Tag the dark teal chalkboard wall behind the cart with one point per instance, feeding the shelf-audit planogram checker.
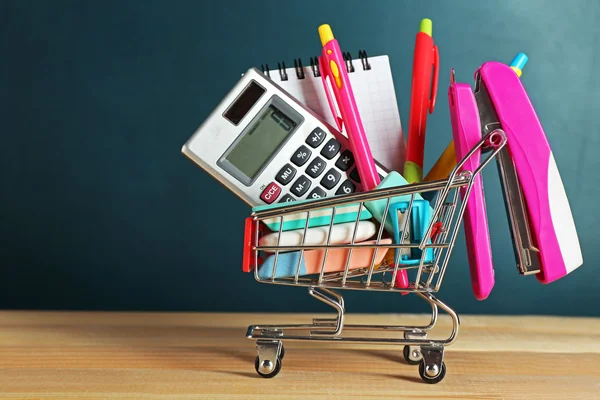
(99, 209)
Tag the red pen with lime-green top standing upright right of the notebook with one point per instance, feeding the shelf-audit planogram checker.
(422, 98)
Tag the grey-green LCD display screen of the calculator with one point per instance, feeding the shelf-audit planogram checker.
(255, 148)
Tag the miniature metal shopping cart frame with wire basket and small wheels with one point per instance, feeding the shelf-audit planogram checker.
(418, 348)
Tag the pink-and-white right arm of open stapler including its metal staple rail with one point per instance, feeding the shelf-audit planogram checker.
(542, 226)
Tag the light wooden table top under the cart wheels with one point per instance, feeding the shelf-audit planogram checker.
(105, 355)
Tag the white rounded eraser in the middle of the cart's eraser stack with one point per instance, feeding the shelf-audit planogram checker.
(340, 234)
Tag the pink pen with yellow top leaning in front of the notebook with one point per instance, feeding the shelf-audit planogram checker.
(335, 76)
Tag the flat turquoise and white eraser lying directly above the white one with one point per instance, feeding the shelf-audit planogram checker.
(320, 217)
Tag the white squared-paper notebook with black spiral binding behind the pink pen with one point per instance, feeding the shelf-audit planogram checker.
(373, 86)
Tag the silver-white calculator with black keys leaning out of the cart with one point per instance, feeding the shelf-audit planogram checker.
(267, 147)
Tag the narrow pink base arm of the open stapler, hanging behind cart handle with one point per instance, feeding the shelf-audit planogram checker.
(466, 130)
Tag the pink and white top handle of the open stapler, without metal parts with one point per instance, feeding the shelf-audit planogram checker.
(552, 225)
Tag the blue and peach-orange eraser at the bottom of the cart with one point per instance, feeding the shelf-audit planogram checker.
(312, 260)
